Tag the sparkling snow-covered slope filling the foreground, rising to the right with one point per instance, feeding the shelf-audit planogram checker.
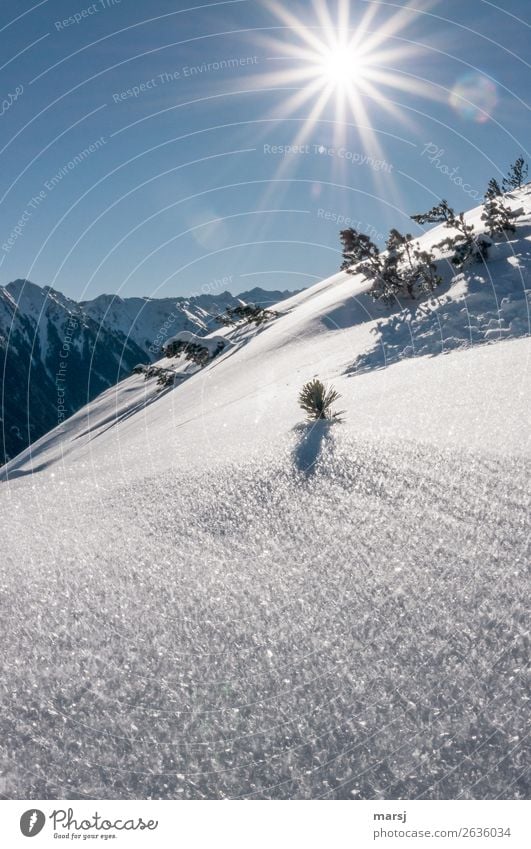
(218, 600)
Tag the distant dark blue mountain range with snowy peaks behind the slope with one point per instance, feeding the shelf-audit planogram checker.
(56, 353)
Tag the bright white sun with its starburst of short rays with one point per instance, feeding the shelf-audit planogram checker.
(340, 65)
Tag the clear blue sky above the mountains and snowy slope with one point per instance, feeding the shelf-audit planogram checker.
(168, 188)
